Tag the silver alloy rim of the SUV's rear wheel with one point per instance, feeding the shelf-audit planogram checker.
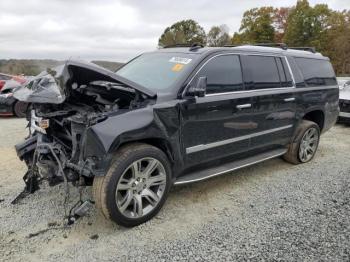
(308, 144)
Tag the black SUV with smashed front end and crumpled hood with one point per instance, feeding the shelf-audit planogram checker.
(173, 116)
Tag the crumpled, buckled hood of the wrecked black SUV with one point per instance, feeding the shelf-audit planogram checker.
(51, 85)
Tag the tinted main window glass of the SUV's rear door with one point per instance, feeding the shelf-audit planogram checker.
(264, 72)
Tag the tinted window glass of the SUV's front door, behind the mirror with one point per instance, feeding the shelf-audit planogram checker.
(223, 74)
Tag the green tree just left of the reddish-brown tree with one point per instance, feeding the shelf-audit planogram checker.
(257, 25)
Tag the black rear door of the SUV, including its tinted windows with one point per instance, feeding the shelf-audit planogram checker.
(274, 101)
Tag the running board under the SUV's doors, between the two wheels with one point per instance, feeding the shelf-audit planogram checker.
(228, 167)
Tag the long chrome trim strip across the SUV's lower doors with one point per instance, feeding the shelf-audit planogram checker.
(201, 147)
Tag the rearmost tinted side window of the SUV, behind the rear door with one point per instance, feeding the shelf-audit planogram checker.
(316, 72)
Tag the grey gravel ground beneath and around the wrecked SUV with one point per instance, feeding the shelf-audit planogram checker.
(270, 211)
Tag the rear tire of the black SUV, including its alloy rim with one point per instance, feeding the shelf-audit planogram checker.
(305, 143)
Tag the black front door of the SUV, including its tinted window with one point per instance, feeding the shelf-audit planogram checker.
(215, 126)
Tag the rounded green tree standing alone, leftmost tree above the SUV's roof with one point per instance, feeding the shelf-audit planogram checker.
(183, 32)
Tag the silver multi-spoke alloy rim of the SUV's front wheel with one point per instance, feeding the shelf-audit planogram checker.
(141, 187)
